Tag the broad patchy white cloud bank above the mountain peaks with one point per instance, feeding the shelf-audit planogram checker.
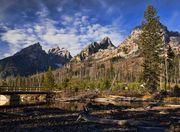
(77, 33)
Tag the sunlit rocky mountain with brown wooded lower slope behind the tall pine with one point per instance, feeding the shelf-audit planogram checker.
(98, 60)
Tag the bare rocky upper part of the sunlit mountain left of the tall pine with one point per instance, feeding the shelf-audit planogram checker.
(105, 50)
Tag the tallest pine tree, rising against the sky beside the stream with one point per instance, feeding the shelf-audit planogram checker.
(151, 42)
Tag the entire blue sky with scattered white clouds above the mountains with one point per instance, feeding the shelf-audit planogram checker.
(73, 24)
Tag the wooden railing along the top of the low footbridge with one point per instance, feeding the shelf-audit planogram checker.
(22, 89)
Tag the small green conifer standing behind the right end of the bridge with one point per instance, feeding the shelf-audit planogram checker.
(49, 81)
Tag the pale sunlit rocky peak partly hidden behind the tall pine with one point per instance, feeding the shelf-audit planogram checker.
(130, 45)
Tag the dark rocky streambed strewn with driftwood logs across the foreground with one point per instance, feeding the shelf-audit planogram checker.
(92, 114)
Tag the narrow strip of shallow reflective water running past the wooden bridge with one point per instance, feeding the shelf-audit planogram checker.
(67, 106)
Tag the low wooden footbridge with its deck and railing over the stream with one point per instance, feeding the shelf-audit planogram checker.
(9, 90)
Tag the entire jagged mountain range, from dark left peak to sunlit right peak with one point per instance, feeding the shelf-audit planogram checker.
(91, 59)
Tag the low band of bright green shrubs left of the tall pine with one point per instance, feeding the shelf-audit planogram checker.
(101, 84)
